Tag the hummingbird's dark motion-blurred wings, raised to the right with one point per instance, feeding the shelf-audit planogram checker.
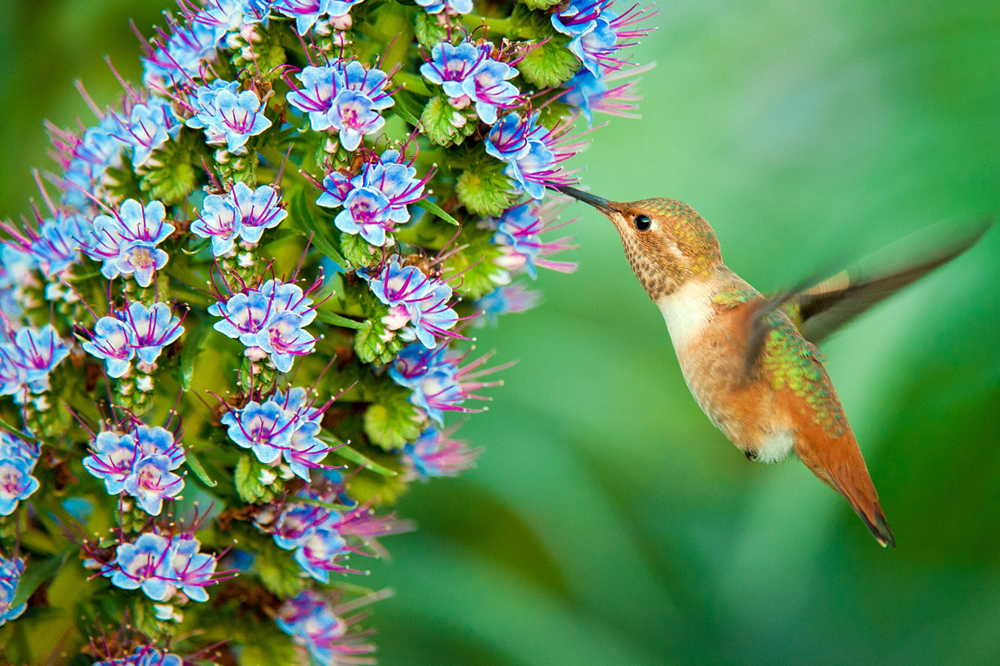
(824, 307)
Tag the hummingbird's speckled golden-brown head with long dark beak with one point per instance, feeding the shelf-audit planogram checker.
(665, 241)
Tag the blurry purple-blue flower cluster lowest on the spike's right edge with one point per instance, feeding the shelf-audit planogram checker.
(310, 621)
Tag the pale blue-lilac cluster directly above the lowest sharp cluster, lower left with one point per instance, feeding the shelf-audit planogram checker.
(139, 463)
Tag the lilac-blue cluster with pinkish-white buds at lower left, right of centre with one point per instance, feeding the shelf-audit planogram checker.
(415, 300)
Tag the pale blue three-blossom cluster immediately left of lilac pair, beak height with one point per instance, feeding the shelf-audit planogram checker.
(127, 242)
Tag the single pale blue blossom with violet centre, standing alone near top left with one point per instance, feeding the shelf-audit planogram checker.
(228, 116)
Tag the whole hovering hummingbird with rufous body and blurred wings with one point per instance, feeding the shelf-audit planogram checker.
(750, 360)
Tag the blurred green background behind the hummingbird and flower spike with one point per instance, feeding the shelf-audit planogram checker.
(608, 521)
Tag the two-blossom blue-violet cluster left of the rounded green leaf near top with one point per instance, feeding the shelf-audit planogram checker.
(467, 74)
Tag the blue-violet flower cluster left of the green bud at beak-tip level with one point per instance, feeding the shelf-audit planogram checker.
(375, 200)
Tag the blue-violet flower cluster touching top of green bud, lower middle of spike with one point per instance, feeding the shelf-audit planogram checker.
(283, 427)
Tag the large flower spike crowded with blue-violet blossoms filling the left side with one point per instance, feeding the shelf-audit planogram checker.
(240, 324)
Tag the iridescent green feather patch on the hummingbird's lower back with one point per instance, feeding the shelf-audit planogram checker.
(790, 361)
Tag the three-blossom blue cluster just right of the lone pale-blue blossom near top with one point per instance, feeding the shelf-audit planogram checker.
(345, 97)
